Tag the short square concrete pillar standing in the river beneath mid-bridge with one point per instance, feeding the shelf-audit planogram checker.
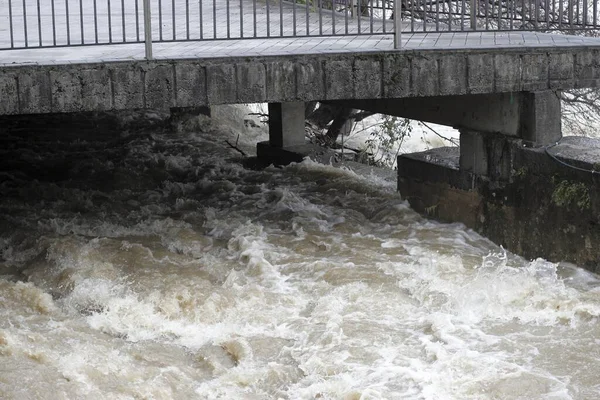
(286, 124)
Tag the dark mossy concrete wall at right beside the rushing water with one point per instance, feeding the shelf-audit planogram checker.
(542, 209)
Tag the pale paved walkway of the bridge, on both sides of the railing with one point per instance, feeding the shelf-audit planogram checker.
(253, 23)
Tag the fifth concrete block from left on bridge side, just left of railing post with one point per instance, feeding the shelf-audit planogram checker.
(128, 87)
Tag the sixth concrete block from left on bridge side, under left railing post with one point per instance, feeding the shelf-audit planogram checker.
(159, 86)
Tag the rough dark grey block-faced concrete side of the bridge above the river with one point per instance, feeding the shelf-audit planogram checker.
(293, 77)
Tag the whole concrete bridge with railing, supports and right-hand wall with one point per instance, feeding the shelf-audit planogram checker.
(490, 68)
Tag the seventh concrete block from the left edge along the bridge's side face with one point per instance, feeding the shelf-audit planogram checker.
(191, 85)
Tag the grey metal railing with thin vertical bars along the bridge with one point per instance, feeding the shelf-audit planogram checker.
(54, 23)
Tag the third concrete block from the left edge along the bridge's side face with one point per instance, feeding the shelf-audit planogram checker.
(66, 91)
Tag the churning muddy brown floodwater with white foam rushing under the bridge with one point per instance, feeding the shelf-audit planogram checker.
(154, 265)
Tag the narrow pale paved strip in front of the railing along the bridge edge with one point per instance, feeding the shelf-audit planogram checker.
(300, 45)
